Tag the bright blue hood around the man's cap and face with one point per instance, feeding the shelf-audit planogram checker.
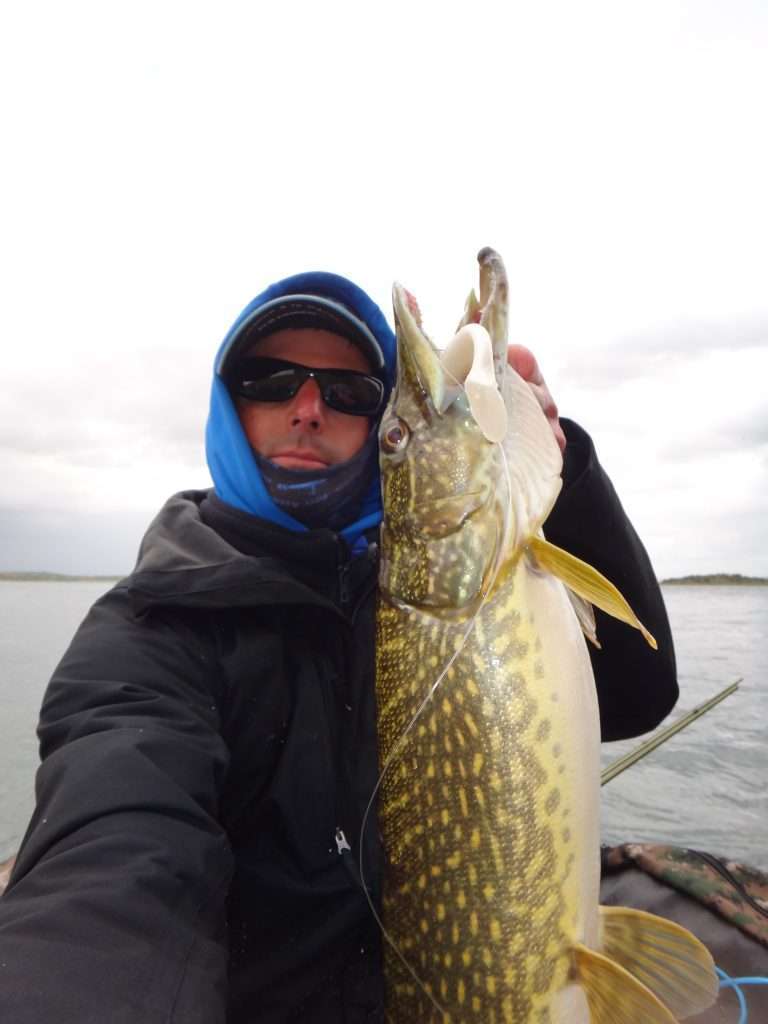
(236, 476)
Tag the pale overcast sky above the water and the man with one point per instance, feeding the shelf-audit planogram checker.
(164, 161)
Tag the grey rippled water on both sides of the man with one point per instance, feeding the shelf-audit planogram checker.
(707, 788)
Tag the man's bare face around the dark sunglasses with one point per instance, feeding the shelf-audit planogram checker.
(304, 433)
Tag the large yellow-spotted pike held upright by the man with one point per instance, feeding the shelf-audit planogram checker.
(489, 731)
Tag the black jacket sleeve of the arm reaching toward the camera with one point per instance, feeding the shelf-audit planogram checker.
(115, 911)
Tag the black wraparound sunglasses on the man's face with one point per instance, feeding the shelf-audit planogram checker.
(262, 379)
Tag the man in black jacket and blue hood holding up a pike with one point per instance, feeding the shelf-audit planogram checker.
(209, 739)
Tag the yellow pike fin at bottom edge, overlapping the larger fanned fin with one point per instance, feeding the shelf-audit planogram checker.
(614, 996)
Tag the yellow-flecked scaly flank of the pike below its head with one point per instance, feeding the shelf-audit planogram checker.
(475, 843)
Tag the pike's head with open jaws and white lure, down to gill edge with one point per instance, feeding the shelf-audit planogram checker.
(441, 465)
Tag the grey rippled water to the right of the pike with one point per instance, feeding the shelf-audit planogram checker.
(708, 787)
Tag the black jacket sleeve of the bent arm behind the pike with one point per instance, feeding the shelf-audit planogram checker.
(636, 687)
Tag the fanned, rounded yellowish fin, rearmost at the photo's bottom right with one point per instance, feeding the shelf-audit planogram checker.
(662, 955)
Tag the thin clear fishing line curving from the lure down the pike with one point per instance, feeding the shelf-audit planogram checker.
(420, 710)
